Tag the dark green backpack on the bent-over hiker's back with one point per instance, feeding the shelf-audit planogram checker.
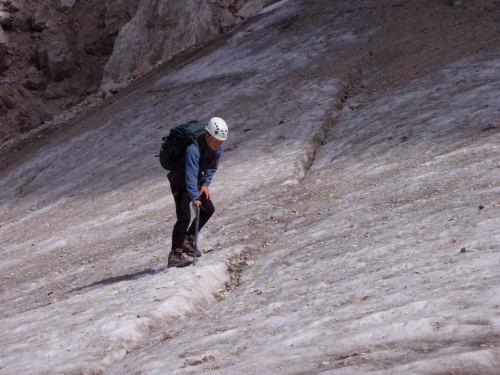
(175, 144)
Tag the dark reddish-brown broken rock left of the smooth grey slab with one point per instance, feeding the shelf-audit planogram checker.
(45, 67)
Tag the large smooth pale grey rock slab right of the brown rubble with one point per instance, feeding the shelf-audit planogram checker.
(161, 29)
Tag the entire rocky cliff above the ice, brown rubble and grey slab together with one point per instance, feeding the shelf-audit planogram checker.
(56, 53)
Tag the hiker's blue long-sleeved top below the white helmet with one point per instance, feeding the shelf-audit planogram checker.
(197, 171)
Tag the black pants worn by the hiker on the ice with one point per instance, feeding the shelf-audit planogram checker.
(183, 210)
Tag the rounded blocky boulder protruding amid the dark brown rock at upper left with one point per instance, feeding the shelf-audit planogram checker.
(56, 60)
